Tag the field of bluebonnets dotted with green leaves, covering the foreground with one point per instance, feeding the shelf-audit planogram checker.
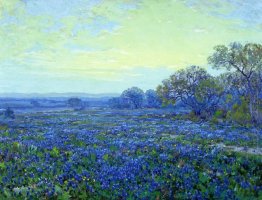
(135, 154)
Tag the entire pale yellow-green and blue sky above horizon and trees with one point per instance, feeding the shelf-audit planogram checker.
(106, 46)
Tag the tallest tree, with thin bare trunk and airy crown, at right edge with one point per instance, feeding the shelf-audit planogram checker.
(246, 62)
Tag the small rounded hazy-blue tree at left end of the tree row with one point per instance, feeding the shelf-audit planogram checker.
(133, 97)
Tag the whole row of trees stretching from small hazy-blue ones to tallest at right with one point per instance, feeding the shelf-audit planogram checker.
(234, 95)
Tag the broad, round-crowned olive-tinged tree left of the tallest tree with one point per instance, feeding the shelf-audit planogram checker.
(194, 87)
